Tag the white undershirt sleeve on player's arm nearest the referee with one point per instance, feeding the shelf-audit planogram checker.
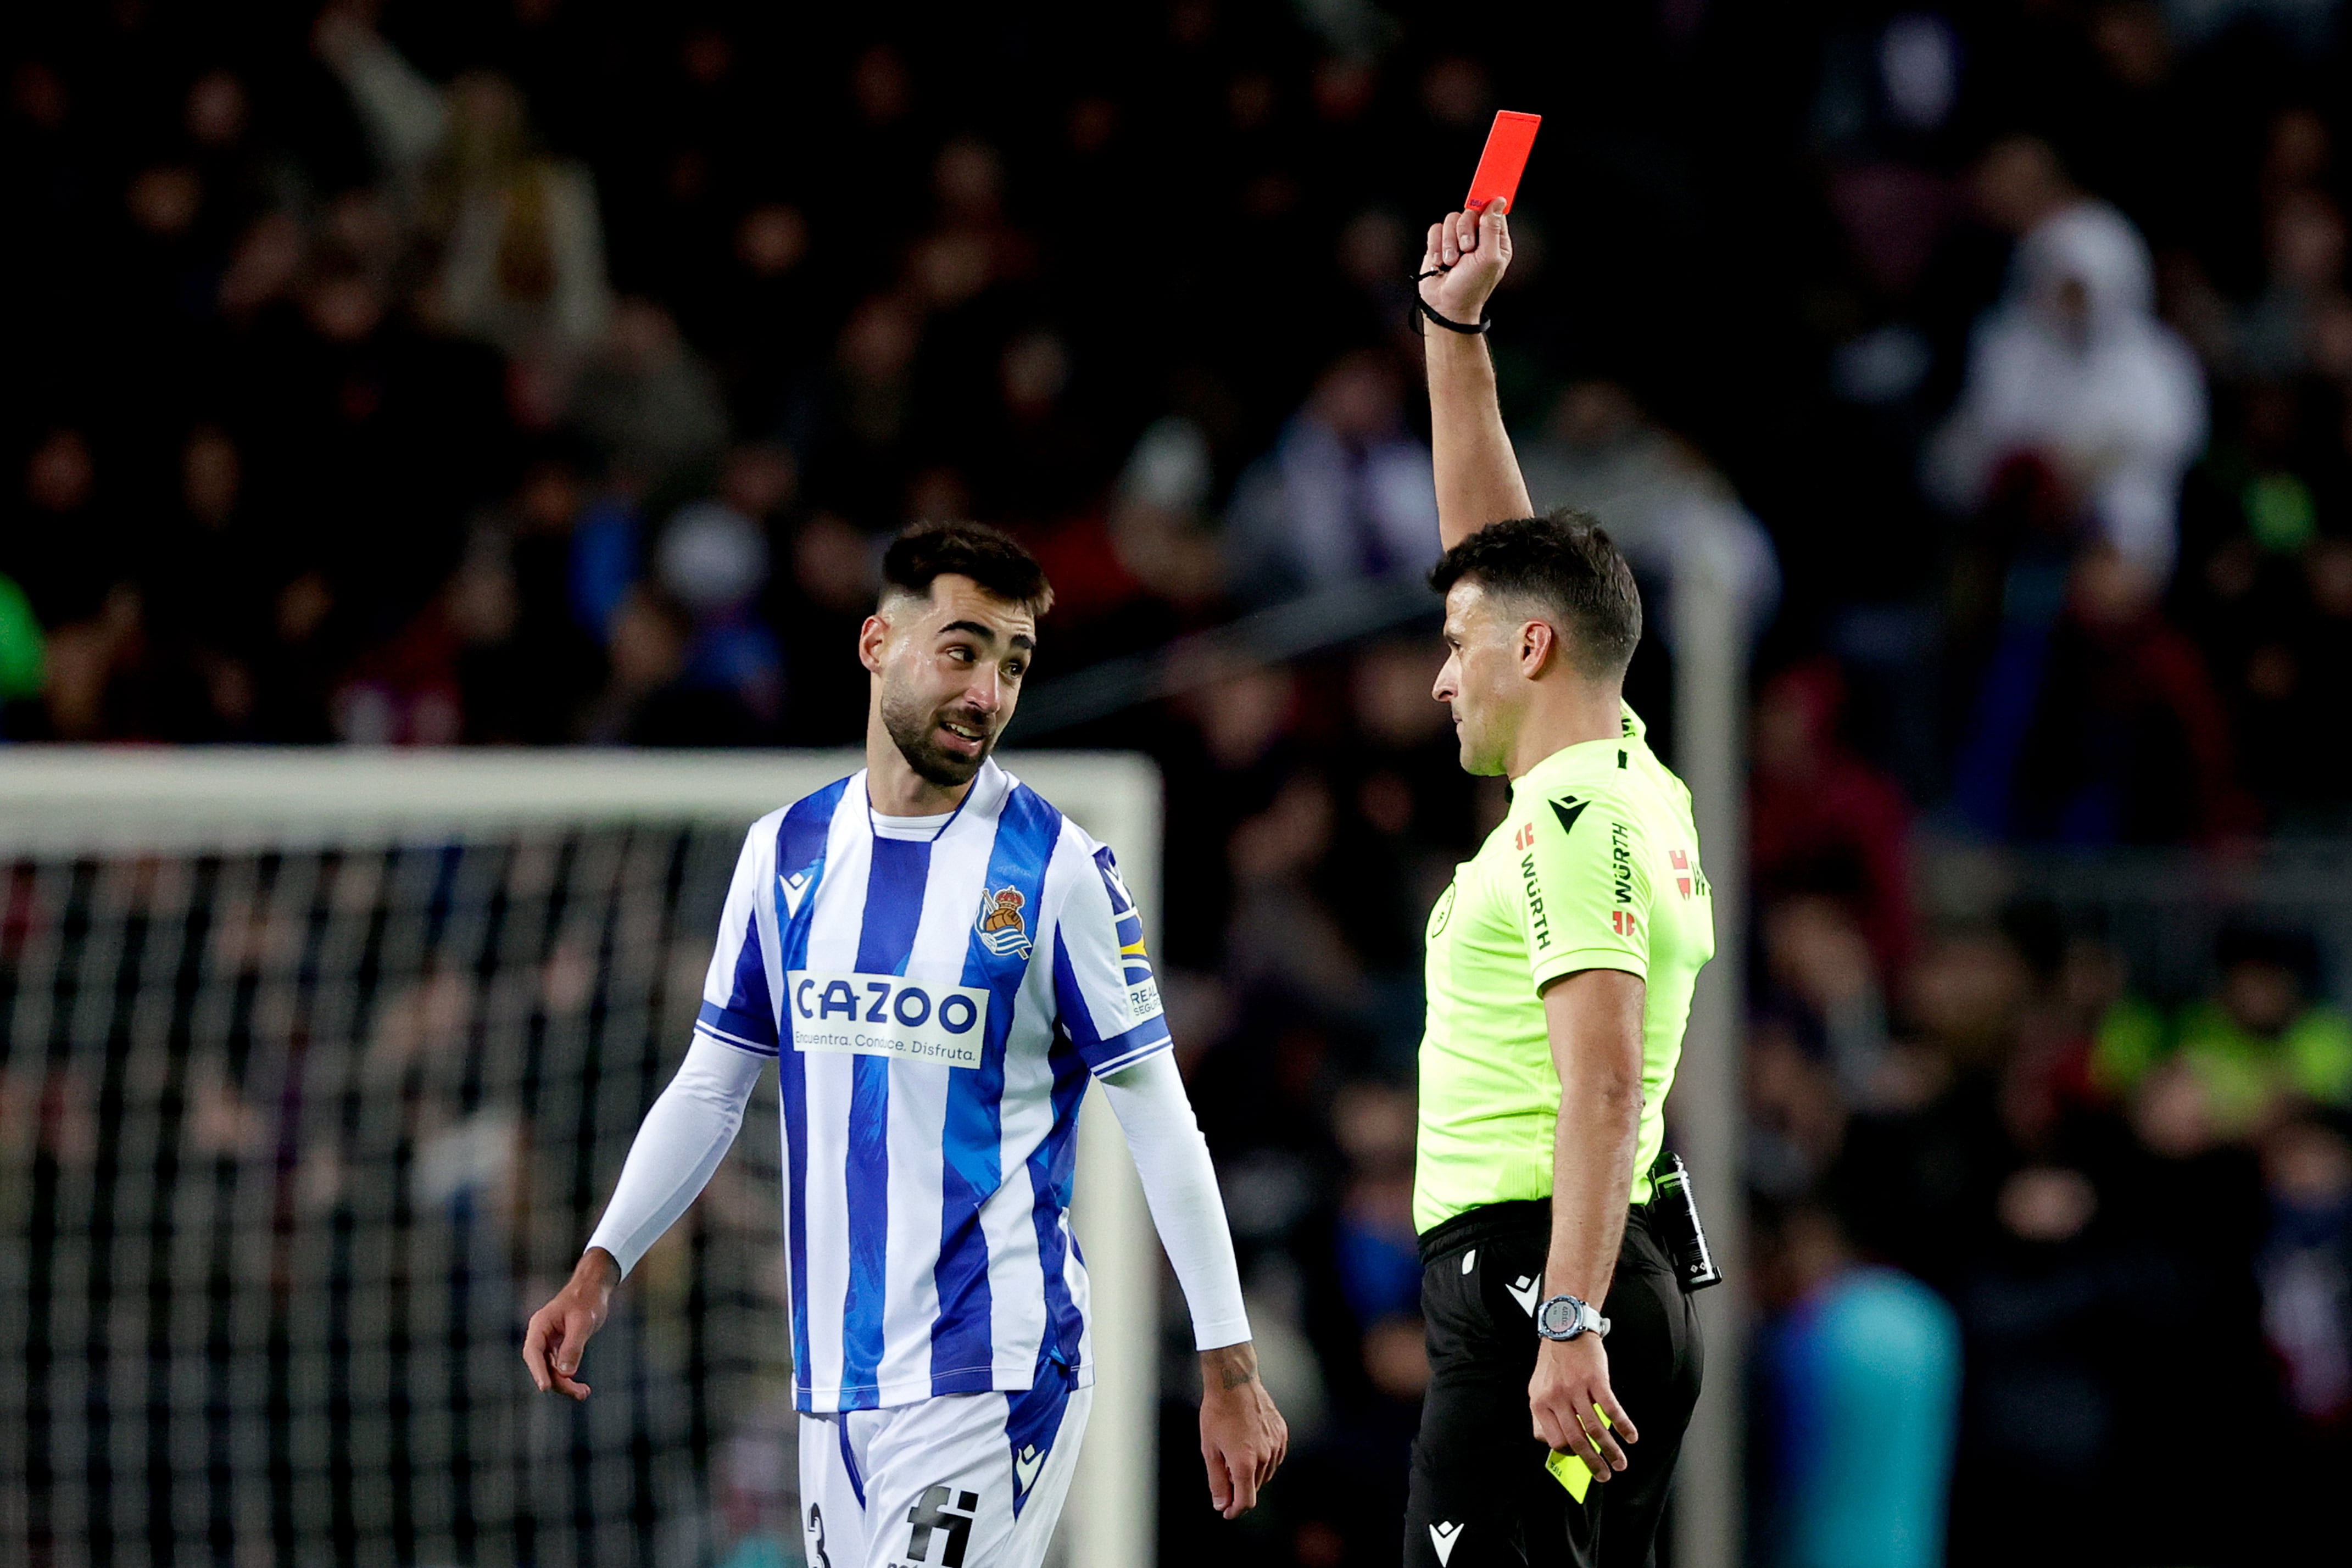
(1180, 1184)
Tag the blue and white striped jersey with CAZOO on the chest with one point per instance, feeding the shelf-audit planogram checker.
(942, 1005)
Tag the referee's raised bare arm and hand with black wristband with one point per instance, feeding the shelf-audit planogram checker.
(1478, 476)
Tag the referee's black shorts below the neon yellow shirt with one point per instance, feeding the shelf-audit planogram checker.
(1481, 1494)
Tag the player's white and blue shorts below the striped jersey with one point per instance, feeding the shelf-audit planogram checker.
(951, 1482)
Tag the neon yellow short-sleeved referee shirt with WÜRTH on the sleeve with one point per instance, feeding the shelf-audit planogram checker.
(1596, 866)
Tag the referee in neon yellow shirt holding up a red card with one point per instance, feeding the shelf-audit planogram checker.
(1561, 974)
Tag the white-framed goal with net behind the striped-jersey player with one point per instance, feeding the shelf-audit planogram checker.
(314, 1078)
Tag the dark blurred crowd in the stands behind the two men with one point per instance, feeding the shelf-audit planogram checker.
(549, 375)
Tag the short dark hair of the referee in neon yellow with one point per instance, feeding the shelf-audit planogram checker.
(1565, 563)
